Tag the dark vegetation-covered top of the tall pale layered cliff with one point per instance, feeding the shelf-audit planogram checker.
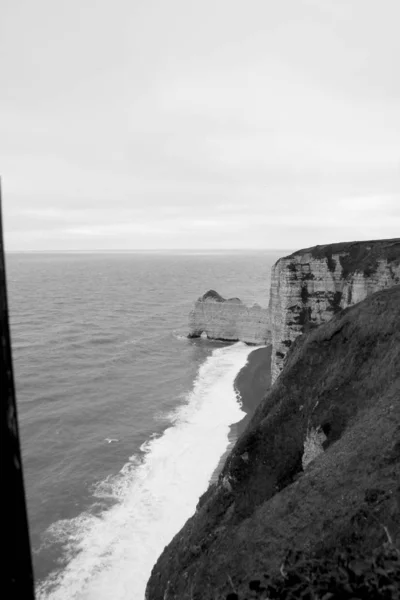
(358, 257)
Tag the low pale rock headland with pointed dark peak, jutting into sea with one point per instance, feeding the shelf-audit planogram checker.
(229, 320)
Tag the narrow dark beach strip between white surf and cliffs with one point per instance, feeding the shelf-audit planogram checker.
(252, 383)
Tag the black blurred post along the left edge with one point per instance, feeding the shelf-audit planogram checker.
(17, 578)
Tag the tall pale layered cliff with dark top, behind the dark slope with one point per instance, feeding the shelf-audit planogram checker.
(310, 286)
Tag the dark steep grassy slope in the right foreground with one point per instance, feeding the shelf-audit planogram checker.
(315, 475)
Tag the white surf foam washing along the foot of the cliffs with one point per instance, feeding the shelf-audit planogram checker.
(111, 555)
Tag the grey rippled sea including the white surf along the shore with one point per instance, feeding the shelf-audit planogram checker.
(122, 418)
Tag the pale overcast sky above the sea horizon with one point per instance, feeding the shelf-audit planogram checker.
(160, 124)
